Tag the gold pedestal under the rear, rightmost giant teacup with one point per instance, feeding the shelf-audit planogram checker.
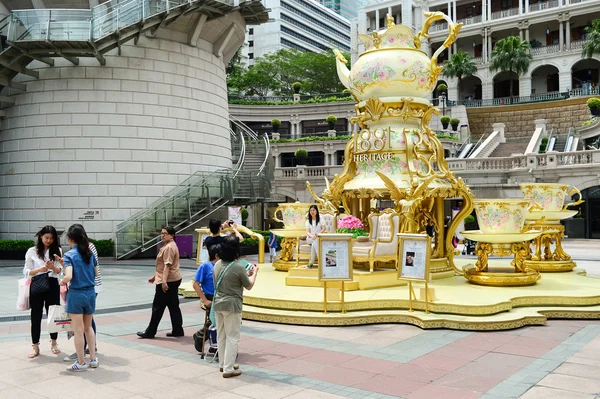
(545, 259)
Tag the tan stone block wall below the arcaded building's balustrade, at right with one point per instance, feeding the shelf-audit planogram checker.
(520, 119)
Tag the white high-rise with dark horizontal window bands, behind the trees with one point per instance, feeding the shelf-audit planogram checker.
(304, 25)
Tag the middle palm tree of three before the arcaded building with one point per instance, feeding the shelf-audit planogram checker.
(511, 54)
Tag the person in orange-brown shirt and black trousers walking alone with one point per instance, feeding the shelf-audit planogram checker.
(167, 279)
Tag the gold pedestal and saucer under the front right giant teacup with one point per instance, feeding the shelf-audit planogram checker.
(502, 245)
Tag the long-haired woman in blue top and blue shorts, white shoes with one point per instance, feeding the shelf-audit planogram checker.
(81, 269)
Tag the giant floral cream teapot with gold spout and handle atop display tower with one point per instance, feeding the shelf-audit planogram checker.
(393, 62)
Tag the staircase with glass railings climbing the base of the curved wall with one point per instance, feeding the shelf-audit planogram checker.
(203, 194)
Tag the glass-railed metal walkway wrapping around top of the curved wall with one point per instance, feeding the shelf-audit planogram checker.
(40, 34)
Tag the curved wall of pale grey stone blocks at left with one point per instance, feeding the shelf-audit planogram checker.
(110, 140)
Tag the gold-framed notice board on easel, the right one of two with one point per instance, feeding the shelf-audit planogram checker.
(414, 254)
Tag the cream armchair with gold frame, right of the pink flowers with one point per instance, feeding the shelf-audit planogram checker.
(383, 240)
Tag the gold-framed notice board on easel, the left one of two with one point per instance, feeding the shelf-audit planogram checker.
(335, 257)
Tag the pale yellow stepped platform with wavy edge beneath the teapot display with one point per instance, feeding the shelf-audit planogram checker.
(459, 304)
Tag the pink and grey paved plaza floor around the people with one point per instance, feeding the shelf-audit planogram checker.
(559, 360)
